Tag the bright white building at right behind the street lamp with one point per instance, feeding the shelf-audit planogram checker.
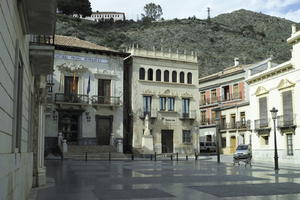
(276, 86)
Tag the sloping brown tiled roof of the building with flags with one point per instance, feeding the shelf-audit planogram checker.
(75, 42)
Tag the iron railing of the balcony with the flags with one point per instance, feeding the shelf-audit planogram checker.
(71, 98)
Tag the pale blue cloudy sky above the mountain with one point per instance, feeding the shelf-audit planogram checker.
(289, 9)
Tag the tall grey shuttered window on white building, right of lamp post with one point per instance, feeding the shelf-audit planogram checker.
(287, 101)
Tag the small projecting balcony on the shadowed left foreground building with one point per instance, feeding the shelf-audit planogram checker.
(42, 53)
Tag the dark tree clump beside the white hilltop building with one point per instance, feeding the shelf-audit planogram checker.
(78, 7)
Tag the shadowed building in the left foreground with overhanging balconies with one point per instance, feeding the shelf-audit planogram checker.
(26, 57)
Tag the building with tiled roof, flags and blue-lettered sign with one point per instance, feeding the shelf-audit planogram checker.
(85, 96)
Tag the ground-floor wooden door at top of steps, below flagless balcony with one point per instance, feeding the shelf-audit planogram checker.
(103, 130)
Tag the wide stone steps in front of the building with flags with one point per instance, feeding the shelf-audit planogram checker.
(93, 152)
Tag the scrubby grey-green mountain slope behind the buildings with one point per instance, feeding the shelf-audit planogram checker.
(247, 35)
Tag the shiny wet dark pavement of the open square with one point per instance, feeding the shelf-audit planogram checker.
(205, 180)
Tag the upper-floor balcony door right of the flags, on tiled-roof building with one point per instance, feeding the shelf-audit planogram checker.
(104, 91)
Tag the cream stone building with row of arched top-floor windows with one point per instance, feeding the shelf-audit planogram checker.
(161, 86)
